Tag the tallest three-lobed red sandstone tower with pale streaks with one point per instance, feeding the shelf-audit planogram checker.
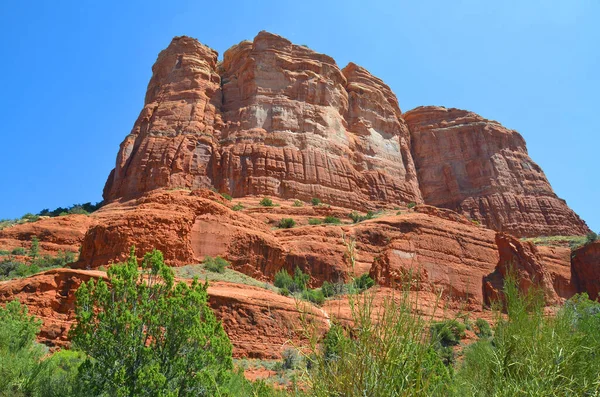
(273, 119)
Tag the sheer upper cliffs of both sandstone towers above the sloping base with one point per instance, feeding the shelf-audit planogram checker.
(279, 119)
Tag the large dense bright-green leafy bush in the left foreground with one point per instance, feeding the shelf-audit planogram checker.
(170, 343)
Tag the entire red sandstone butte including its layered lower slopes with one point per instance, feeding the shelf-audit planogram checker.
(280, 120)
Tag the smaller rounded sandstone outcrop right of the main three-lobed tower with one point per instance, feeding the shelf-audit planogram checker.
(481, 169)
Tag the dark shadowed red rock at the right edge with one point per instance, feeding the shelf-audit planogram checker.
(586, 269)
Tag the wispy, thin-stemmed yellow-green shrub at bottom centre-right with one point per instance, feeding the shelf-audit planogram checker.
(385, 354)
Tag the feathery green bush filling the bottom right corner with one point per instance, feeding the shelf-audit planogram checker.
(532, 354)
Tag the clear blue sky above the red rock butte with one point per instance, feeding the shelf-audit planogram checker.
(74, 73)
